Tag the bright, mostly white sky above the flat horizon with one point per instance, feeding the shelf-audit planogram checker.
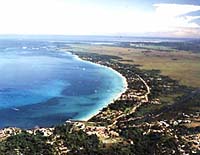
(159, 18)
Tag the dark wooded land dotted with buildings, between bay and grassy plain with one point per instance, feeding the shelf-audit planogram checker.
(165, 123)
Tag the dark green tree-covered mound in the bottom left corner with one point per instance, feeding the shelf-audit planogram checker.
(26, 144)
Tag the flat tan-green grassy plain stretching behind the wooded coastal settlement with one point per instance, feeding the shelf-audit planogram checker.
(180, 65)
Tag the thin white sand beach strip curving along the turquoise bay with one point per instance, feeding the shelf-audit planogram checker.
(112, 100)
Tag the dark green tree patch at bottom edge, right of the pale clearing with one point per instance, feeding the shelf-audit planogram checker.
(153, 143)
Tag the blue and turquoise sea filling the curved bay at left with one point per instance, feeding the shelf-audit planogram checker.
(42, 85)
